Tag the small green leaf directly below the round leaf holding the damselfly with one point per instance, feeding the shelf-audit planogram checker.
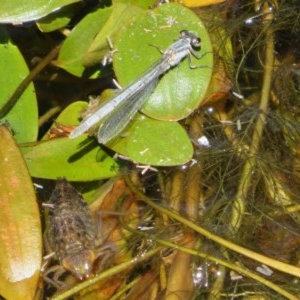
(152, 142)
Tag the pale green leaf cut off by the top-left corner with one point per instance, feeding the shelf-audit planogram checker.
(20, 11)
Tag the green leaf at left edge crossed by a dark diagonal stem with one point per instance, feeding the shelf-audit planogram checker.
(23, 117)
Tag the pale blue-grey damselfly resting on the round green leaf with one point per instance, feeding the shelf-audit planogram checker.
(120, 109)
